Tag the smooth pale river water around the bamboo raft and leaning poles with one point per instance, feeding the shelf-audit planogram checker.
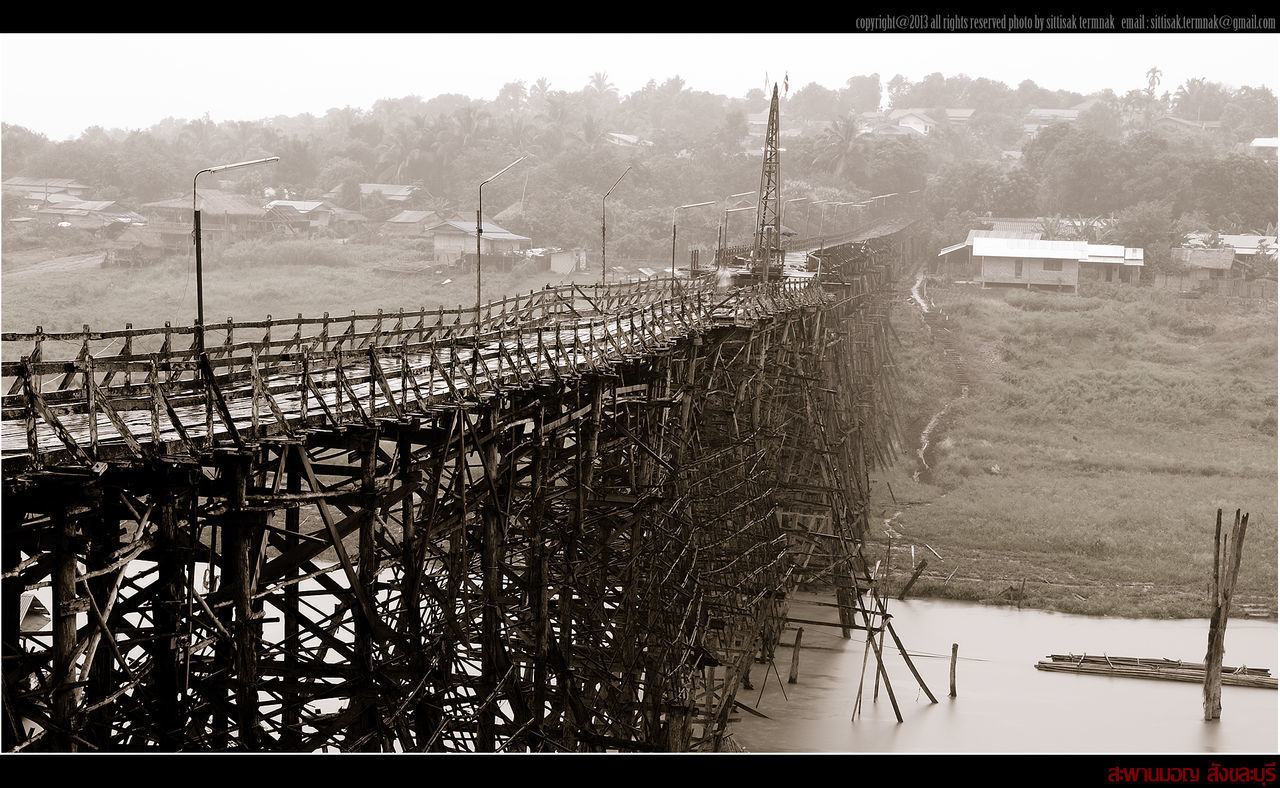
(1004, 705)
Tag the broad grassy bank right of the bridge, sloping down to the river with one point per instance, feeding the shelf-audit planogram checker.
(1086, 468)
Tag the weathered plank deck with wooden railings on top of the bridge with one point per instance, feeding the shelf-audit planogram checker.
(144, 392)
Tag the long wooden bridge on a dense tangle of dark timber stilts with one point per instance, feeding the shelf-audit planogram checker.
(568, 523)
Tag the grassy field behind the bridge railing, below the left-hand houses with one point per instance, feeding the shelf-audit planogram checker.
(248, 282)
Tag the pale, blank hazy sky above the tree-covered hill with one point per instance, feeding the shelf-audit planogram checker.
(62, 84)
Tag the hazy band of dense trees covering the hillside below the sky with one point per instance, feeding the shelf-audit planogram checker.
(1116, 167)
